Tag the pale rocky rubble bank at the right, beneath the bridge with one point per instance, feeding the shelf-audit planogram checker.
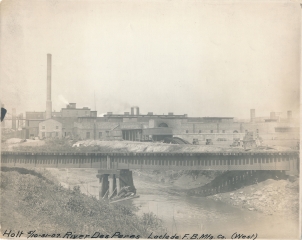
(272, 197)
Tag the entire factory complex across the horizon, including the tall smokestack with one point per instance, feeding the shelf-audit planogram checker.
(83, 123)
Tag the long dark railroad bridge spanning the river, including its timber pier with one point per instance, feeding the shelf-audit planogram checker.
(114, 169)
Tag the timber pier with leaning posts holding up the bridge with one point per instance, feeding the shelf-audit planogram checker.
(112, 181)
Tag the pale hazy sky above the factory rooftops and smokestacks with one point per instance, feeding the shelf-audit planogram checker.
(217, 58)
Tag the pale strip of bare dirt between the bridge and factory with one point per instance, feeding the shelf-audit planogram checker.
(65, 145)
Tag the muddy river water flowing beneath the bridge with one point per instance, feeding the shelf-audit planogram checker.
(183, 214)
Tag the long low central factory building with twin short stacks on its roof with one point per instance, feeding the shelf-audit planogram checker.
(141, 127)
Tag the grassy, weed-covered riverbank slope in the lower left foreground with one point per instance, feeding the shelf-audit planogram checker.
(31, 202)
